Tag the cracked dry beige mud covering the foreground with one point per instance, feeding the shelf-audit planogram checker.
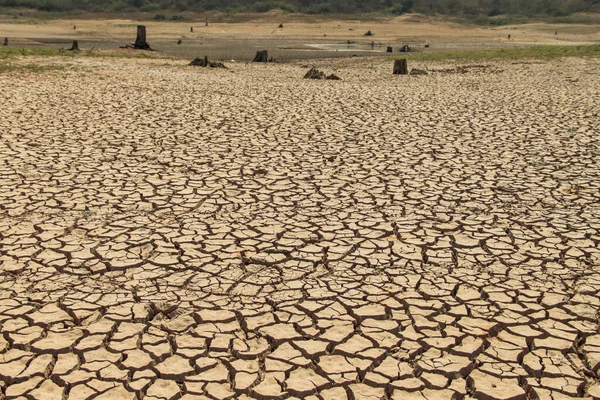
(169, 232)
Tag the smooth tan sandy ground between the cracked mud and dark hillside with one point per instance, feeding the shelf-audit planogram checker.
(297, 40)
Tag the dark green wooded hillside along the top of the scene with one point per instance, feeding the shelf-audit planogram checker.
(487, 8)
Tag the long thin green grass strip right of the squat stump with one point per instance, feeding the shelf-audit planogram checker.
(545, 52)
